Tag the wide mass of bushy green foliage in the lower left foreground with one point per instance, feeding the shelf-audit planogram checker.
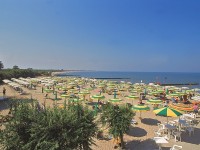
(35, 128)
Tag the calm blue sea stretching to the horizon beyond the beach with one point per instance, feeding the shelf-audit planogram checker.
(145, 77)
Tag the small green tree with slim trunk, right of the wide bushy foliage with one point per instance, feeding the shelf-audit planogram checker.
(118, 119)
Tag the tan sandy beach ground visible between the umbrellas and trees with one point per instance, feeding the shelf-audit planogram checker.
(138, 138)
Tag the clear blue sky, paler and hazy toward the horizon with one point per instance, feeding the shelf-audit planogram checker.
(101, 35)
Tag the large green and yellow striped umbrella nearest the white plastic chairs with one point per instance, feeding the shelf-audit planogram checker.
(168, 112)
